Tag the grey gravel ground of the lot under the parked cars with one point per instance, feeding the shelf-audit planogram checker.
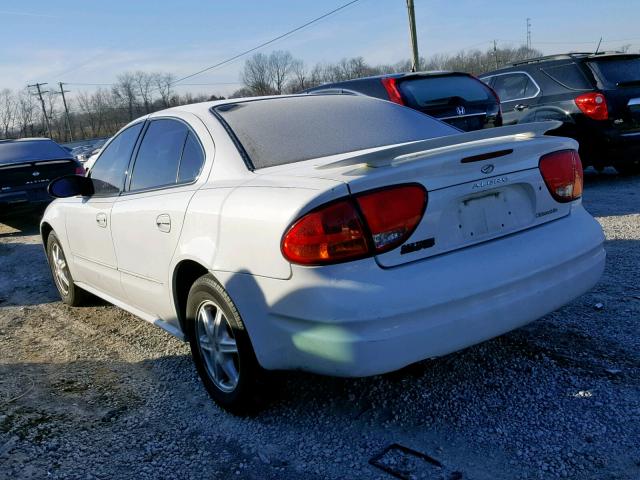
(96, 393)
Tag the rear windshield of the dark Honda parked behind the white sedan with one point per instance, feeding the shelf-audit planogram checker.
(433, 91)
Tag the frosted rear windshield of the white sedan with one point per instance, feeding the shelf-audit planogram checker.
(285, 130)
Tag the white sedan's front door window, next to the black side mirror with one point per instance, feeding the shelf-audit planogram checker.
(111, 166)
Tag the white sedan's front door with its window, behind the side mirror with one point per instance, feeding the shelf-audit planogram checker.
(88, 219)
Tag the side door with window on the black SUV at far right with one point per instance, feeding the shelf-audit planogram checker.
(518, 94)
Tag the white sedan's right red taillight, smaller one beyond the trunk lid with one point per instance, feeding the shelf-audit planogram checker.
(562, 172)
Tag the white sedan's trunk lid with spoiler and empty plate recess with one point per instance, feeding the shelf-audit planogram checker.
(481, 185)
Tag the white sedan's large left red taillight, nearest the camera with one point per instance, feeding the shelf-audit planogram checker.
(366, 224)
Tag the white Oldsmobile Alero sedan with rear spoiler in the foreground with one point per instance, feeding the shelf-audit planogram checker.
(336, 234)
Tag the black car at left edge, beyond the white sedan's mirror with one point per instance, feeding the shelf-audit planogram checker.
(27, 166)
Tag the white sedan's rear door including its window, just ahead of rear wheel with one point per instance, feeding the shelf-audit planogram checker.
(147, 218)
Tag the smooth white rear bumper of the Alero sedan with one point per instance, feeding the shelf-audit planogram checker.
(357, 319)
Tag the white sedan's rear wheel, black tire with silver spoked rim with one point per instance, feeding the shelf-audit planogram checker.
(244, 398)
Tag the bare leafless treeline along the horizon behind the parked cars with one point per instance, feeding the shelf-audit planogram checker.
(105, 110)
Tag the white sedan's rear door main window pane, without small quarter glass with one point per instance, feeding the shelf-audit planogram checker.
(158, 160)
